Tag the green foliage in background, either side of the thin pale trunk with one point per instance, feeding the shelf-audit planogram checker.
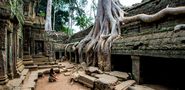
(65, 13)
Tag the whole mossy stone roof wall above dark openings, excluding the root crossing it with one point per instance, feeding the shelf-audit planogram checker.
(157, 38)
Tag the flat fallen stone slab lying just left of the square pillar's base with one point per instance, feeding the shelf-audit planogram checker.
(122, 75)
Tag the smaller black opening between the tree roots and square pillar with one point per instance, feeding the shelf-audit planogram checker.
(121, 63)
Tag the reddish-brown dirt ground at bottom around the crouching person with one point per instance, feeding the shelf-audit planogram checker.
(63, 83)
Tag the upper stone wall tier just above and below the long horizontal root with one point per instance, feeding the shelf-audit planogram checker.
(152, 7)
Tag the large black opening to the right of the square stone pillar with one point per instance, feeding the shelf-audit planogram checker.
(163, 71)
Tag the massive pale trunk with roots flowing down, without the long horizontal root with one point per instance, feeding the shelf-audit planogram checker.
(97, 44)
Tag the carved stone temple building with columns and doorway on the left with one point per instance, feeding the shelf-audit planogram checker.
(21, 45)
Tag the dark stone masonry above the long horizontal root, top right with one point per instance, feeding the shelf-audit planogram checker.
(153, 6)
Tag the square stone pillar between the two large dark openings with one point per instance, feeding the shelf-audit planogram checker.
(136, 67)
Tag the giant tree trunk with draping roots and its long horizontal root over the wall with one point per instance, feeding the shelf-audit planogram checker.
(96, 46)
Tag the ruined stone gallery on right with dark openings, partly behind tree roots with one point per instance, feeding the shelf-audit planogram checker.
(153, 52)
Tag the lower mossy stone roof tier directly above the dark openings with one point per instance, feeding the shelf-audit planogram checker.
(166, 44)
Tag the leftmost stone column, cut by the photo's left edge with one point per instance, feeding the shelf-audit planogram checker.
(3, 54)
